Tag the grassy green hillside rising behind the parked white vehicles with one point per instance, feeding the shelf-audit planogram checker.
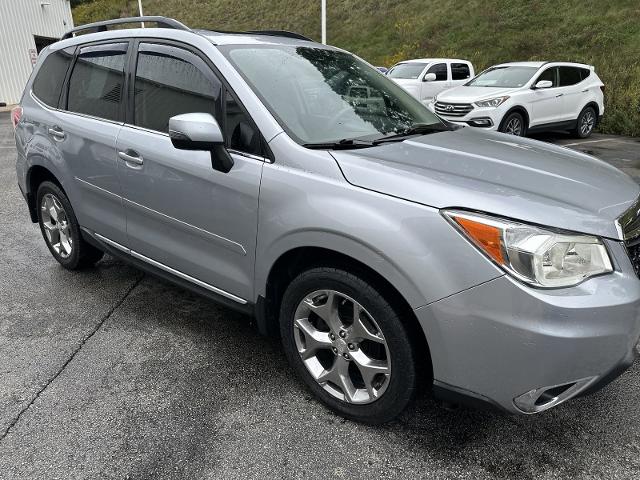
(604, 33)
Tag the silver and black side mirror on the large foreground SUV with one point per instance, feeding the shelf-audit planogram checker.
(200, 131)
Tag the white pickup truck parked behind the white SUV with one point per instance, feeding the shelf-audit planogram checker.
(425, 78)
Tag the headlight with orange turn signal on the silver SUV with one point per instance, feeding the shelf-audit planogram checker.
(534, 255)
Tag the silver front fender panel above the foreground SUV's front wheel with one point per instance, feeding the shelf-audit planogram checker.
(408, 244)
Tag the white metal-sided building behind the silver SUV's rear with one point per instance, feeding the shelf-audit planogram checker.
(26, 27)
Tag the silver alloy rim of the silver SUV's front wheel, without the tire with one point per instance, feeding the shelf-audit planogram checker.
(342, 347)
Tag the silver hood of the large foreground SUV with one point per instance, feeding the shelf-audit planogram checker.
(509, 176)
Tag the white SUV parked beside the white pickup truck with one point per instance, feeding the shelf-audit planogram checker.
(526, 97)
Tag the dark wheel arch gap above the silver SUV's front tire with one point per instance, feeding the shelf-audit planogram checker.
(296, 260)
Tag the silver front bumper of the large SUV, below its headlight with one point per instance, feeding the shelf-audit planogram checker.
(508, 345)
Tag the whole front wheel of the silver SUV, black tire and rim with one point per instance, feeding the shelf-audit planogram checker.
(348, 344)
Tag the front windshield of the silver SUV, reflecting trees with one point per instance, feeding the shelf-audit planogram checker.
(322, 95)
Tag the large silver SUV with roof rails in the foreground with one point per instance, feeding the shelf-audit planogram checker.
(292, 181)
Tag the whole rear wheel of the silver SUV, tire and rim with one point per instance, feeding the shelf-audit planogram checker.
(60, 229)
